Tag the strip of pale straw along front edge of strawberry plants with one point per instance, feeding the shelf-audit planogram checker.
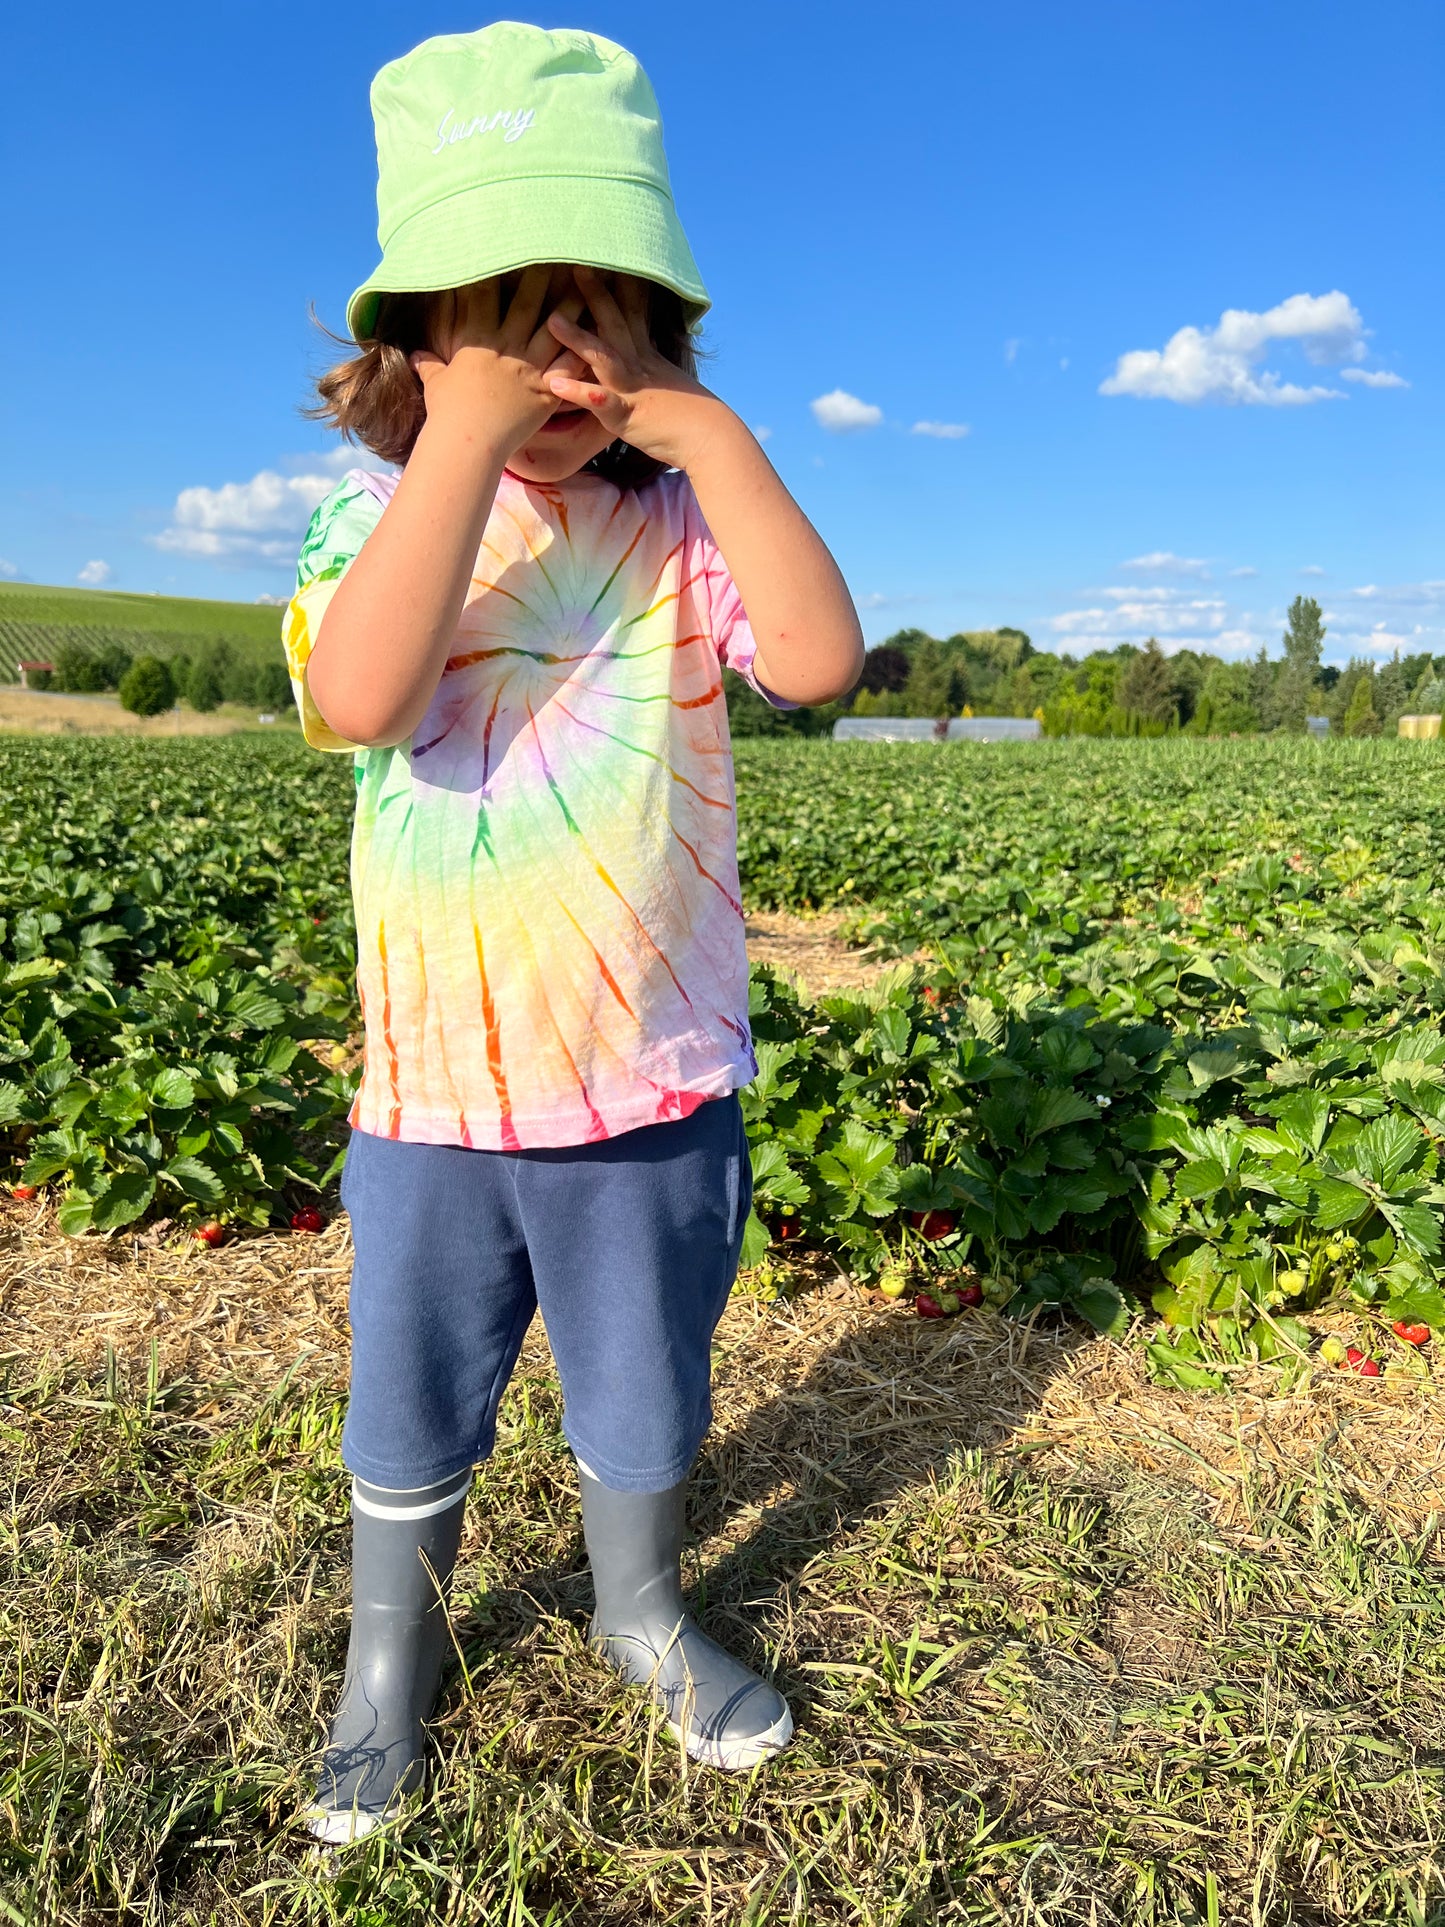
(829, 1361)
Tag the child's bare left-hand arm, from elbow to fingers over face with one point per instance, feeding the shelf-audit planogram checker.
(384, 639)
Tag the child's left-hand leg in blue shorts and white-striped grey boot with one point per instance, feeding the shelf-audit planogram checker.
(440, 1302)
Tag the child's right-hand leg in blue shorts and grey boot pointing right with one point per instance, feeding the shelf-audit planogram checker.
(635, 1248)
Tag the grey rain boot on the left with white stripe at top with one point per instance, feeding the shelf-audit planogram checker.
(404, 1556)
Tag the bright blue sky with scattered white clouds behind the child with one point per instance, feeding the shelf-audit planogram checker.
(1024, 223)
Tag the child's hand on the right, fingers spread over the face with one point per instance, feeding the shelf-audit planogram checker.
(633, 390)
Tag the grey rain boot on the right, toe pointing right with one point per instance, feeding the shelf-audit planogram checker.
(723, 1714)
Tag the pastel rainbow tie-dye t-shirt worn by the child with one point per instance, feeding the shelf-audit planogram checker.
(546, 880)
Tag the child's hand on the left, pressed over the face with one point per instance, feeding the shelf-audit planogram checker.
(492, 371)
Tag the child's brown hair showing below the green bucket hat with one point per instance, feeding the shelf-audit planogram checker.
(377, 398)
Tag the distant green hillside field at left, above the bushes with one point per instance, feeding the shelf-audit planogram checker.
(36, 621)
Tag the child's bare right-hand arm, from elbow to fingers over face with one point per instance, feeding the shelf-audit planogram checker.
(810, 647)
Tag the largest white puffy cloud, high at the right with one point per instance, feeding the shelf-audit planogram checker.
(1222, 363)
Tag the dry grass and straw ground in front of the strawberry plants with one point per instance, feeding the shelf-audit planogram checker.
(1064, 1647)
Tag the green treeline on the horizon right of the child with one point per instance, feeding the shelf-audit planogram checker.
(1126, 691)
